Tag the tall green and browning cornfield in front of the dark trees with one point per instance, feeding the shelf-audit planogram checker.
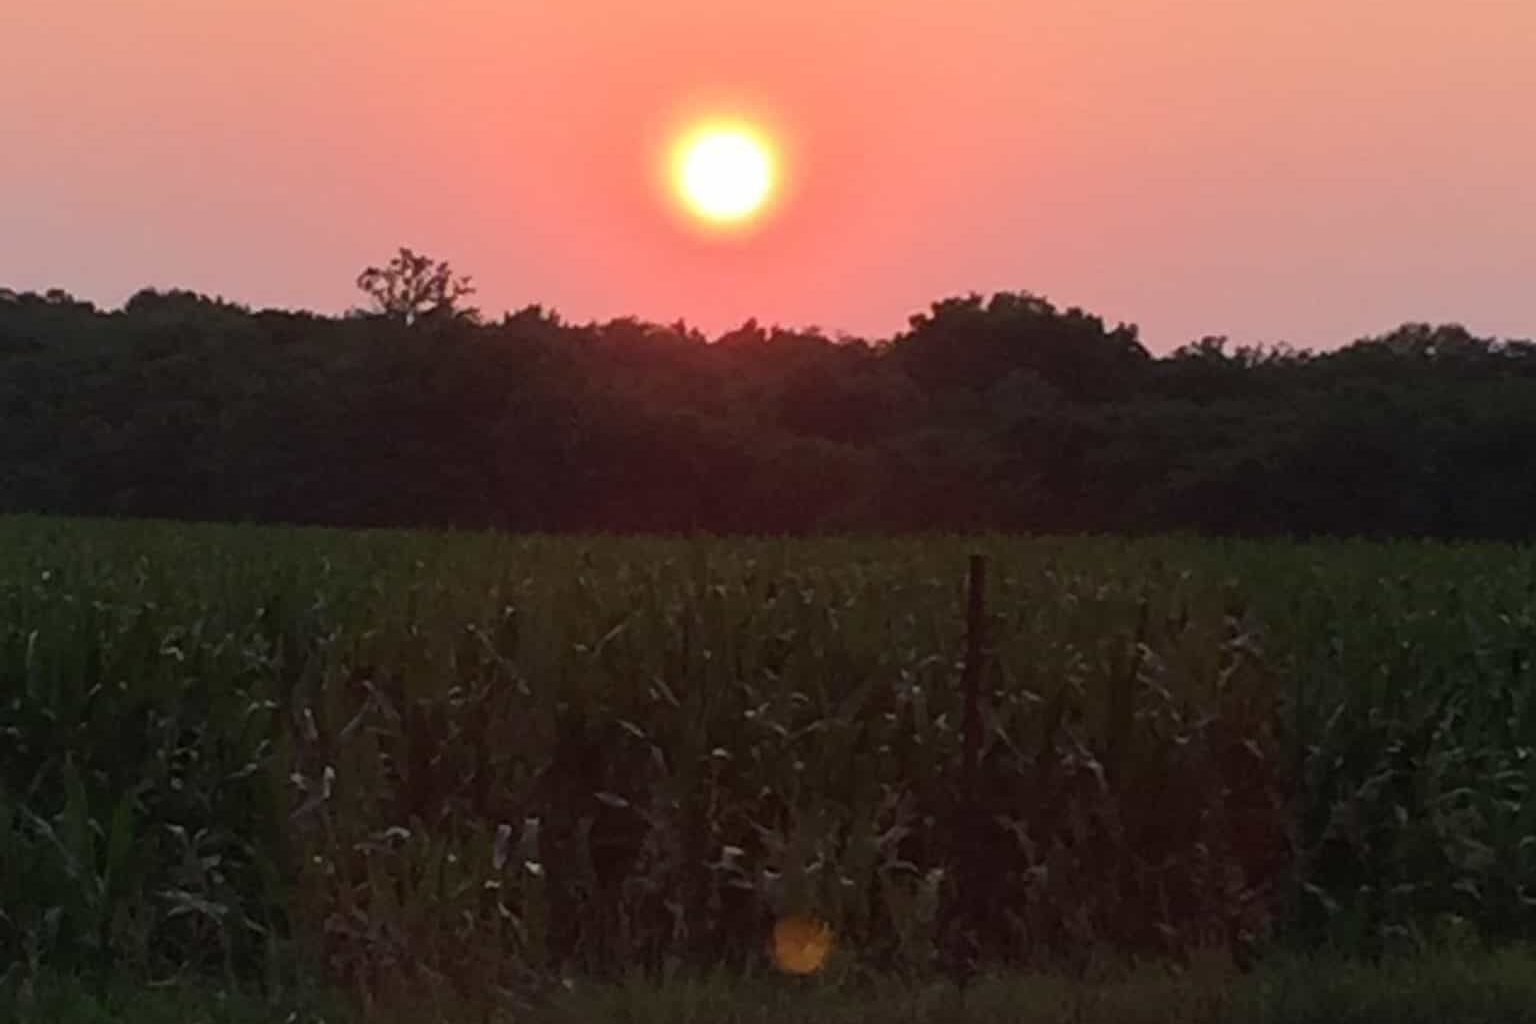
(408, 759)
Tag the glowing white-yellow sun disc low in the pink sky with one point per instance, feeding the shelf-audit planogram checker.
(724, 174)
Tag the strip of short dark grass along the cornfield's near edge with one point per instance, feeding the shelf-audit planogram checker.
(1465, 986)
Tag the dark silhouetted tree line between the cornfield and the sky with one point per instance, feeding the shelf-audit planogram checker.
(985, 414)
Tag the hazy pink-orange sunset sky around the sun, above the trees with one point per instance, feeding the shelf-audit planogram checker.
(1308, 171)
